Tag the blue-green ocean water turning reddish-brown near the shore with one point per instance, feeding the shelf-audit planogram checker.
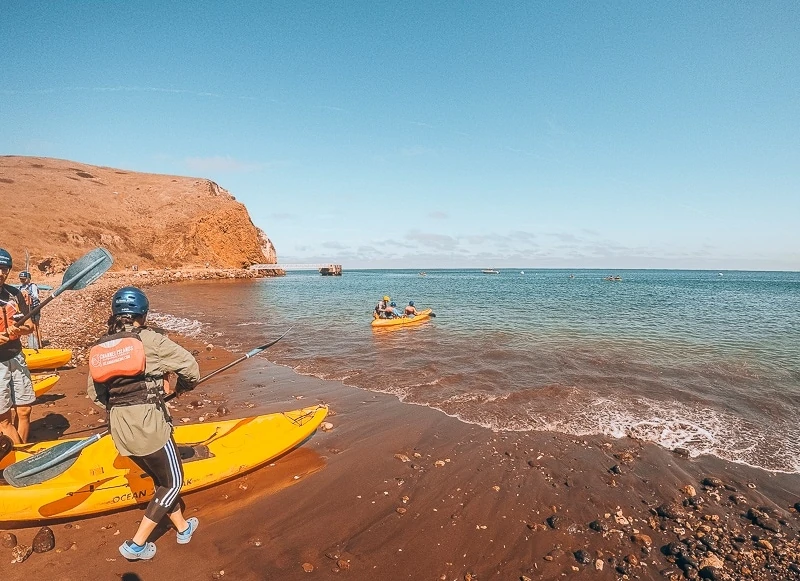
(700, 360)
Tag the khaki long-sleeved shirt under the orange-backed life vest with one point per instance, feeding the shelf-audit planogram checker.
(141, 429)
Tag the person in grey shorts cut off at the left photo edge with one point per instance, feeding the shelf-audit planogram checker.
(16, 387)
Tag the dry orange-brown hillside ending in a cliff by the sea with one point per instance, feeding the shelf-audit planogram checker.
(58, 210)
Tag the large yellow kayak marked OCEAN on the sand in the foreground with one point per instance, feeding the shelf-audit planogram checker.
(101, 480)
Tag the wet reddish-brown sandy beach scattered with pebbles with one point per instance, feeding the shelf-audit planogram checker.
(403, 491)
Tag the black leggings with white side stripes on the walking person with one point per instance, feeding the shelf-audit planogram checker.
(165, 468)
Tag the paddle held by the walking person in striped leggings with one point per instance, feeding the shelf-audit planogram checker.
(56, 460)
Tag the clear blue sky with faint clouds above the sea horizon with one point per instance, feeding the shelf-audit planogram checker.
(438, 134)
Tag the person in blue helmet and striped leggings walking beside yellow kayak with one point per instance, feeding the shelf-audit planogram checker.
(127, 369)
